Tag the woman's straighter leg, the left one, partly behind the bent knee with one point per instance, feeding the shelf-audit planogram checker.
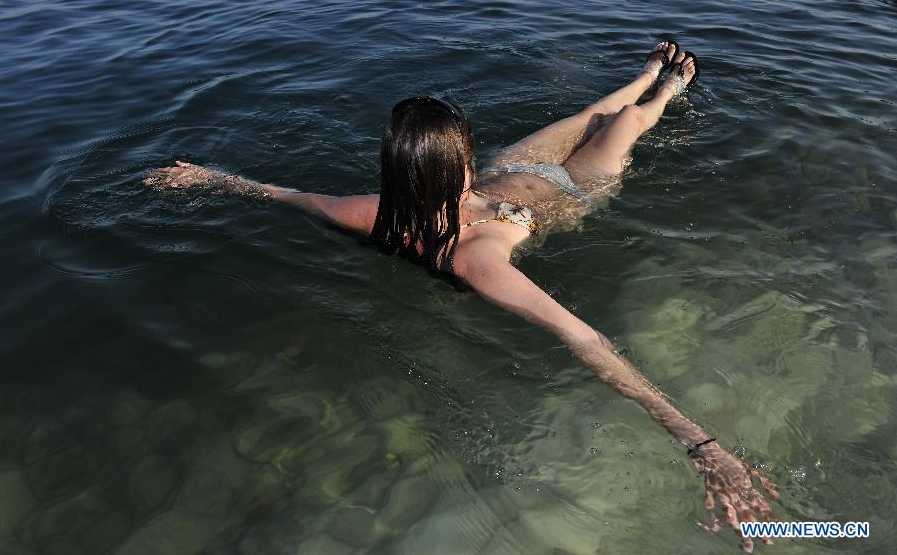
(555, 143)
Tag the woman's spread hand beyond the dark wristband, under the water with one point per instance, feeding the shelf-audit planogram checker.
(729, 485)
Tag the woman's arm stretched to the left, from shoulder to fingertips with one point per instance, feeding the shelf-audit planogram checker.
(355, 213)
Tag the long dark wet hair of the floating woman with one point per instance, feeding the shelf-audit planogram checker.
(425, 149)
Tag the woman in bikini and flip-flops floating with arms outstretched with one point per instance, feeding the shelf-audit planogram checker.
(435, 209)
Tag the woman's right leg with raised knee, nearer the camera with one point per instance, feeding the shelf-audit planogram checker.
(604, 154)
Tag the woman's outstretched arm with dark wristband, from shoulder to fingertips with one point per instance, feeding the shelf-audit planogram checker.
(484, 265)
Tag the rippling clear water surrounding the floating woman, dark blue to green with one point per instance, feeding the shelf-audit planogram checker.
(185, 374)
